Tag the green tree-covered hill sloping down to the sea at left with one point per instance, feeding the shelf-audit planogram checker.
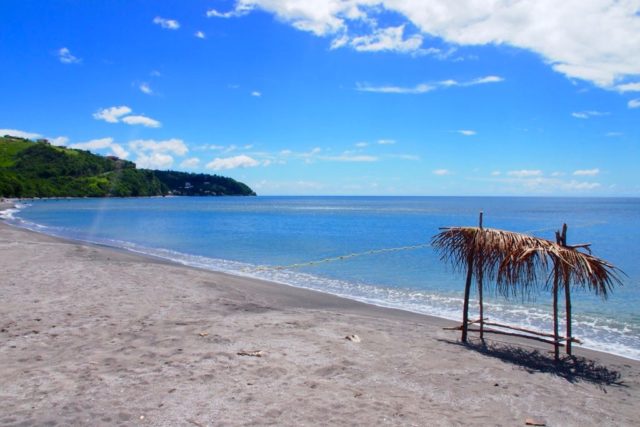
(39, 169)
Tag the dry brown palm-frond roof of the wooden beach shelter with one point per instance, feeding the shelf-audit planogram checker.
(515, 263)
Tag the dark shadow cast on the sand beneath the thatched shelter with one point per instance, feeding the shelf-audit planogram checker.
(572, 368)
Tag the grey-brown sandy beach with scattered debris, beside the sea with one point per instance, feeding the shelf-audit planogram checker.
(95, 336)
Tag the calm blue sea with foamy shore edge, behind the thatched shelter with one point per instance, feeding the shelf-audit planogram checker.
(371, 249)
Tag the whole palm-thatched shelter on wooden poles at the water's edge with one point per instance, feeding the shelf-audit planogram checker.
(517, 263)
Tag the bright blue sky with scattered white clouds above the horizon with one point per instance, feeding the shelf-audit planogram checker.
(338, 97)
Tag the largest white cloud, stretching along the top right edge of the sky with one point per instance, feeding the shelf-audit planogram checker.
(608, 57)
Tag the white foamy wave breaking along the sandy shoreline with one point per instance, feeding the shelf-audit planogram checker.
(598, 333)
